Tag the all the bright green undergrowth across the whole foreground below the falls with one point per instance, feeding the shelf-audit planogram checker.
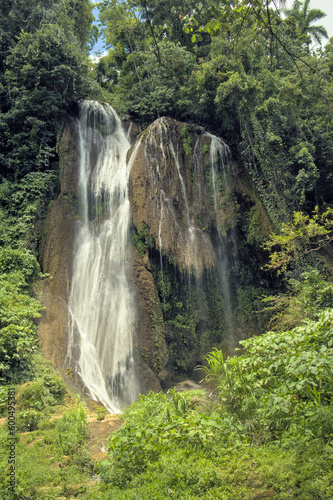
(264, 432)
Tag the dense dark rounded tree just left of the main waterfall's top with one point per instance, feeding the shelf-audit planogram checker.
(46, 72)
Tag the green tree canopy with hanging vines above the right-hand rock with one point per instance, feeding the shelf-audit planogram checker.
(256, 83)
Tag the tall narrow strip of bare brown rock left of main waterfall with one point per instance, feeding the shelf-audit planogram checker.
(57, 255)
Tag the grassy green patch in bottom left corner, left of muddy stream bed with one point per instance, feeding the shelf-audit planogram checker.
(43, 471)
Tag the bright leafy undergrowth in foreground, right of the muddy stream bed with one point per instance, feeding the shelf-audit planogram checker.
(265, 432)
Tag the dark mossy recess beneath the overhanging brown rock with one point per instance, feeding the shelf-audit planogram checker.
(193, 313)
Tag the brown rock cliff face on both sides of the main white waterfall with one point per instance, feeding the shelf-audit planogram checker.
(185, 198)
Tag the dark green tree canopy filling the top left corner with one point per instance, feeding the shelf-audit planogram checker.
(44, 68)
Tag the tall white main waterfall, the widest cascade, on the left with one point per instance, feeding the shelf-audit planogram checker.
(101, 303)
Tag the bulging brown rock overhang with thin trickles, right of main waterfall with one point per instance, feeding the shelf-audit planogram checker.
(169, 191)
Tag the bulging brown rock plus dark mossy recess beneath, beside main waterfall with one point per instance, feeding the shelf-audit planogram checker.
(181, 193)
